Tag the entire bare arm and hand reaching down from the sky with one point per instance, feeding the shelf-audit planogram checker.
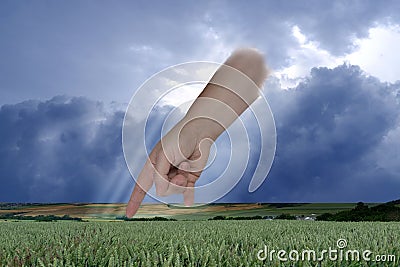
(178, 159)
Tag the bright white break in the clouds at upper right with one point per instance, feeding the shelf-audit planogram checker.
(377, 55)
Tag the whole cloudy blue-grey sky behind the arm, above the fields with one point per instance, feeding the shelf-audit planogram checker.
(68, 70)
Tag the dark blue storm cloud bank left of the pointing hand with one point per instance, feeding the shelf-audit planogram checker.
(63, 149)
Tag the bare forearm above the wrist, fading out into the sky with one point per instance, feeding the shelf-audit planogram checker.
(228, 94)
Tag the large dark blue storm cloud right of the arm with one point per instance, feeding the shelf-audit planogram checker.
(333, 132)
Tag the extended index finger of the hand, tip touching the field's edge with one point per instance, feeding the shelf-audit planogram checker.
(142, 185)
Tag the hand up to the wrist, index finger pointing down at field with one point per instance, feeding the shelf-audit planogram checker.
(175, 163)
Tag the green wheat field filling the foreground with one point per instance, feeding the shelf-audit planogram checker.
(195, 243)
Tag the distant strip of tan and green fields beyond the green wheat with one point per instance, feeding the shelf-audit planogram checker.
(90, 211)
